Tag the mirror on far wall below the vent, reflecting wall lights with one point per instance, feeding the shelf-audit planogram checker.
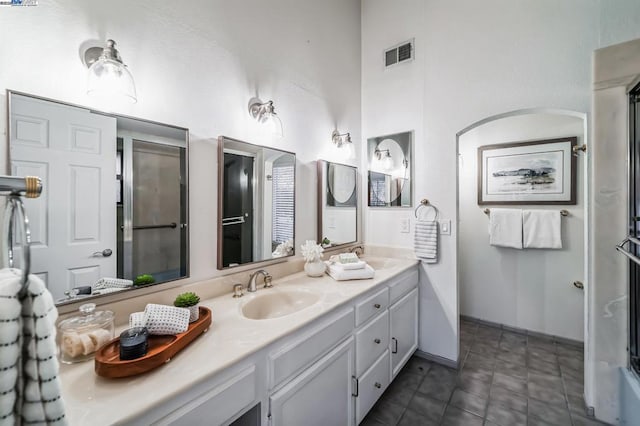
(390, 167)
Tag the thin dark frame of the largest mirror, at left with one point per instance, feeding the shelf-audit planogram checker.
(125, 293)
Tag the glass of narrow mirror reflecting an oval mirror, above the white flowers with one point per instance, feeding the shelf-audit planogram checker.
(337, 204)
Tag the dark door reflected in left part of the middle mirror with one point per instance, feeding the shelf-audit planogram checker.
(237, 214)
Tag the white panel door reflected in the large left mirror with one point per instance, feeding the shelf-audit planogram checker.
(73, 151)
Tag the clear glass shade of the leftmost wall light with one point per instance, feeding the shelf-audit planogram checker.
(111, 79)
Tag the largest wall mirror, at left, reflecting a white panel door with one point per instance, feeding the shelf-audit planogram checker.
(114, 203)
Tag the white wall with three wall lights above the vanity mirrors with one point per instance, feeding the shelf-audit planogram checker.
(196, 64)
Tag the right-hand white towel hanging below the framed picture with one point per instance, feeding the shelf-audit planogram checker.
(542, 229)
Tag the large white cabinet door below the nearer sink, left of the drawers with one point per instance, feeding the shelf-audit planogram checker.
(321, 395)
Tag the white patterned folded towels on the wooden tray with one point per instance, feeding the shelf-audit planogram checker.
(161, 319)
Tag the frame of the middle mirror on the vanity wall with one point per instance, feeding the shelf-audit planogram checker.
(220, 242)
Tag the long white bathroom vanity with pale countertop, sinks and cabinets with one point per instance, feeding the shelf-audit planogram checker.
(318, 352)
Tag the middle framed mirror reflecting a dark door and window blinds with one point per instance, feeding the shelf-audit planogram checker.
(256, 203)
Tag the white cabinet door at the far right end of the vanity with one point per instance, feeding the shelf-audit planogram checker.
(404, 330)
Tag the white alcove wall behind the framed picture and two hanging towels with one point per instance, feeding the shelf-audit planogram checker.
(529, 289)
